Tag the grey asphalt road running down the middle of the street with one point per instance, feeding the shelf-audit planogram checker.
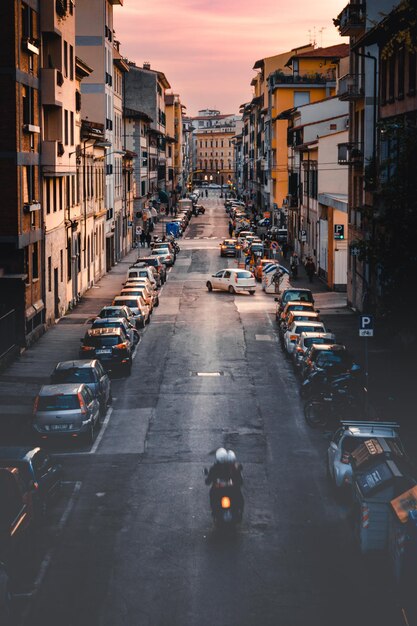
(131, 542)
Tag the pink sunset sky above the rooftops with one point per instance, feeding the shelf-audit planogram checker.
(207, 48)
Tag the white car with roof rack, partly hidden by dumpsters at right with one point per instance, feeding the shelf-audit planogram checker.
(349, 436)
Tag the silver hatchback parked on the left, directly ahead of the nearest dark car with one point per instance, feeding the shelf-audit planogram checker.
(68, 410)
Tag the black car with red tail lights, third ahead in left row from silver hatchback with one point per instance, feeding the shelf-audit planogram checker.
(110, 346)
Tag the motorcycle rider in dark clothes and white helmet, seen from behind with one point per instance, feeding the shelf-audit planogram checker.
(225, 468)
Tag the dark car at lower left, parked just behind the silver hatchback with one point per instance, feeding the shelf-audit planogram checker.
(37, 469)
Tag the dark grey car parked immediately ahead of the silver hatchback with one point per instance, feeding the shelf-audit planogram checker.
(89, 372)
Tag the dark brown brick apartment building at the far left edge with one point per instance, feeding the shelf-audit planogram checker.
(22, 308)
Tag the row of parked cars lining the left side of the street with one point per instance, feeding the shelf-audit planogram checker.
(79, 392)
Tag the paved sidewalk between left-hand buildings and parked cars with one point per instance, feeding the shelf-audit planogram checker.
(20, 382)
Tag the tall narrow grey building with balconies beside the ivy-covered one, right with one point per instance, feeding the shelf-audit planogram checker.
(359, 87)
